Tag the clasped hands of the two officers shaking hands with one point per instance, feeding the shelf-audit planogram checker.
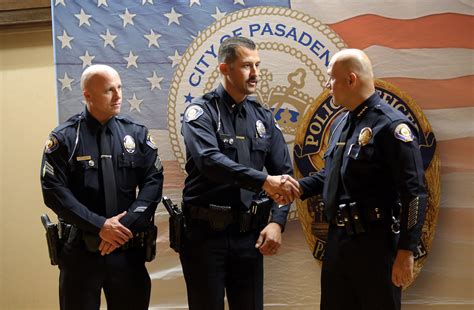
(283, 189)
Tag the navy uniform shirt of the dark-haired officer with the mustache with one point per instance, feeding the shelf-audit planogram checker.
(214, 175)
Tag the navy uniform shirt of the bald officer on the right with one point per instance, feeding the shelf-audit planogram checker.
(382, 166)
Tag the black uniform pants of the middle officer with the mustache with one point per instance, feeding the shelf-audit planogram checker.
(215, 261)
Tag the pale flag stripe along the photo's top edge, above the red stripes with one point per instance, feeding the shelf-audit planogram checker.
(333, 11)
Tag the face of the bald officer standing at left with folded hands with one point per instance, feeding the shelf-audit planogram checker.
(104, 95)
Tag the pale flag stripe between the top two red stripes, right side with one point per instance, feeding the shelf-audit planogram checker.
(435, 63)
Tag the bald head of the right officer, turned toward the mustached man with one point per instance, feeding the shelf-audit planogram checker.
(351, 78)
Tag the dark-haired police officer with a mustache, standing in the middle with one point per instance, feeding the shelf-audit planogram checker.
(229, 139)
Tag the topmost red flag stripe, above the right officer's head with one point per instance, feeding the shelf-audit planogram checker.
(425, 32)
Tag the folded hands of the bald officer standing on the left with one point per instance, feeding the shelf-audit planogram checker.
(113, 234)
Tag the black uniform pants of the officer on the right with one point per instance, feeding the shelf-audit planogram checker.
(357, 270)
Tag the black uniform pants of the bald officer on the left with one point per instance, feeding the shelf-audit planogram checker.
(122, 276)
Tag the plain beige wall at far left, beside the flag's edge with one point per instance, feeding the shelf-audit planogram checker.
(28, 113)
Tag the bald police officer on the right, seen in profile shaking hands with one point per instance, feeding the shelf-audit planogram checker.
(372, 167)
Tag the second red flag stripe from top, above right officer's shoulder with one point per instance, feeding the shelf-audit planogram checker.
(450, 93)
